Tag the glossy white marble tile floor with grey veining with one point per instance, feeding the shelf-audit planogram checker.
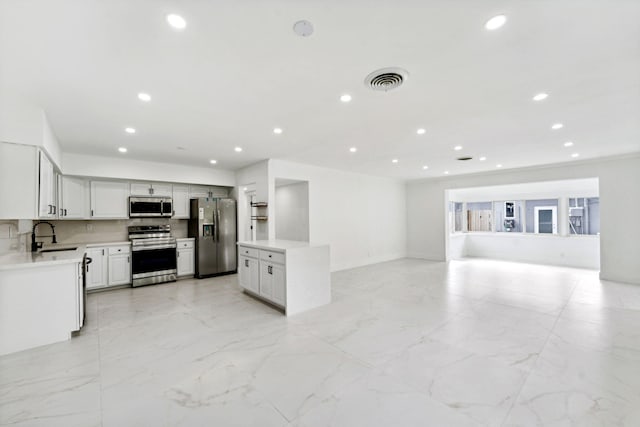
(404, 343)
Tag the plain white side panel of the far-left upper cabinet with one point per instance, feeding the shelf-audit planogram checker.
(18, 181)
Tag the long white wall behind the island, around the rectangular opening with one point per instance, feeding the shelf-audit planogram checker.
(362, 218)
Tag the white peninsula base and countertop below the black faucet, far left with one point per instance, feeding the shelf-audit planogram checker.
(41, 298)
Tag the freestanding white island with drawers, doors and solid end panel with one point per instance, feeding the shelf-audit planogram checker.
(288, 274)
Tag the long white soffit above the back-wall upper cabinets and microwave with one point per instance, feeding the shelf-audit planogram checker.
(123, 168)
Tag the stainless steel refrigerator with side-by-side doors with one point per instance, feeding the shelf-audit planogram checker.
(212, 223)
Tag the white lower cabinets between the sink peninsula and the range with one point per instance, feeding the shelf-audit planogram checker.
(110, 266)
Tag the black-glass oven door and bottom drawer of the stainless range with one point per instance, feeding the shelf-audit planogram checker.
(153, 262)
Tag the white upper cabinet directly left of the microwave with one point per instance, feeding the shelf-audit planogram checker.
(109, 199)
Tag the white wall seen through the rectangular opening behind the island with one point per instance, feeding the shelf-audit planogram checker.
(292, 212)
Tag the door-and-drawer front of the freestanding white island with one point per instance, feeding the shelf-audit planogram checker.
(263, 273)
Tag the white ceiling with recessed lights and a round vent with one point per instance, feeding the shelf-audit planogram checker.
(238, 70)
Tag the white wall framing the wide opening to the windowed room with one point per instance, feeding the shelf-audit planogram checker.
(619, 203)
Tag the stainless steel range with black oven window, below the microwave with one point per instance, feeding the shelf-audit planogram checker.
(153, 253)
